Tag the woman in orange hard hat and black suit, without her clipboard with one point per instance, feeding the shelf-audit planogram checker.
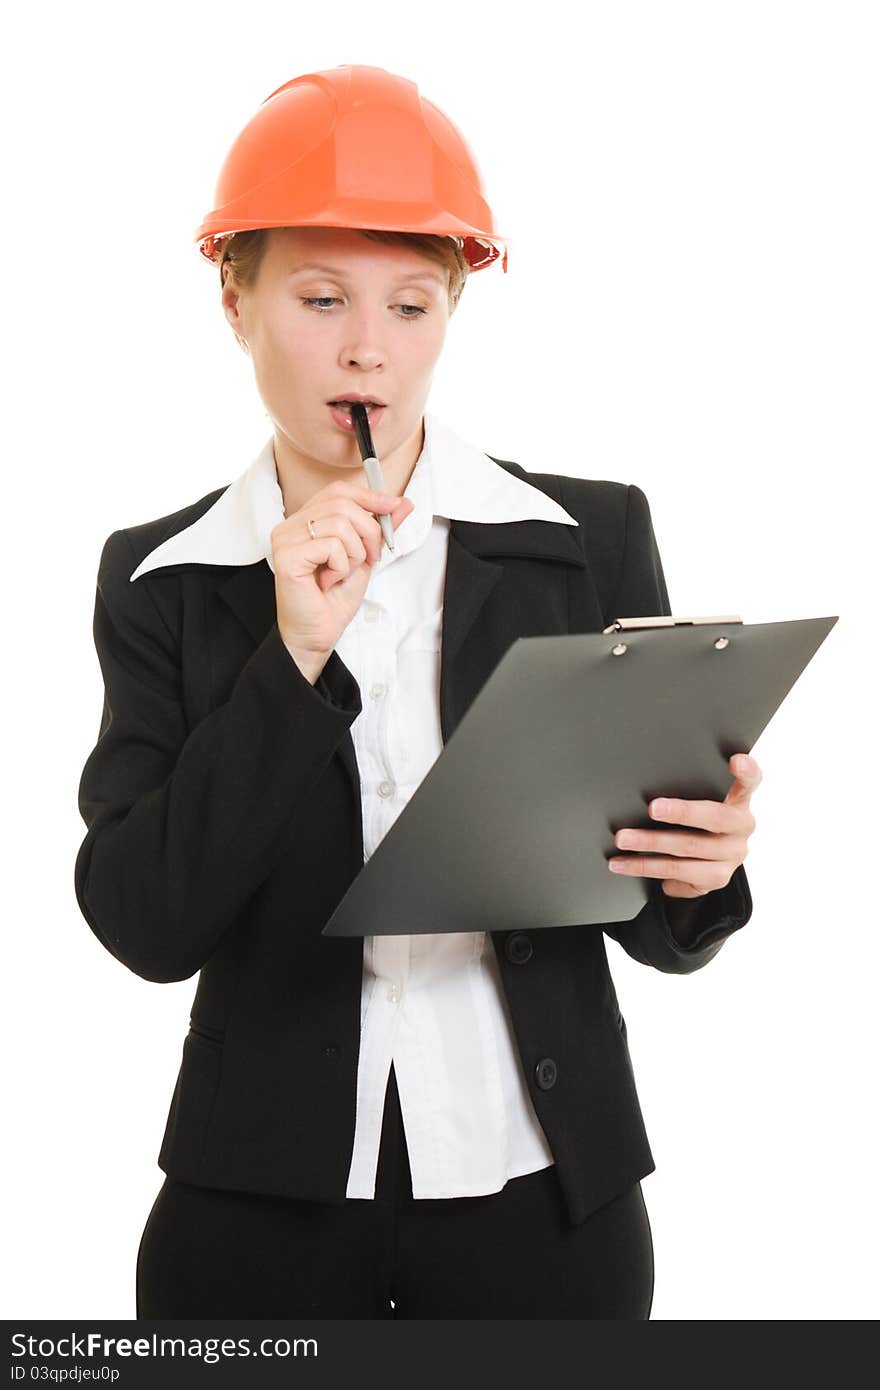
(414, 1127)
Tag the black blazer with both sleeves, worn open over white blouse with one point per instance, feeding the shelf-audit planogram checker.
(225, 825)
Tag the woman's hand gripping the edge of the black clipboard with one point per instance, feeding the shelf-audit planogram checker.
(697, 861)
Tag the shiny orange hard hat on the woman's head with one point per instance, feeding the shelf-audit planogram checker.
(358, 148)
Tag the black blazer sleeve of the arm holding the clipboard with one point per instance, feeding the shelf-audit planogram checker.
(674, 935)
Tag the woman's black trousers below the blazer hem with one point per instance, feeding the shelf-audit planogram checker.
(209, 1253)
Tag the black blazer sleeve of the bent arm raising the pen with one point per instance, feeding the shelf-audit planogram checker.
(186, 825)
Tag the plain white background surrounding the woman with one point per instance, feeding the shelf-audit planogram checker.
(692, 305)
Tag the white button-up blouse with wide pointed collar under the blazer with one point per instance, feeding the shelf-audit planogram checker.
(434, 1004)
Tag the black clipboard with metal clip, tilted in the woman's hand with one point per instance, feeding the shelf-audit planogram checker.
(567, 743)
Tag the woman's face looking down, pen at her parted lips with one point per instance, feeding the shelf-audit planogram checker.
(373, 323)
